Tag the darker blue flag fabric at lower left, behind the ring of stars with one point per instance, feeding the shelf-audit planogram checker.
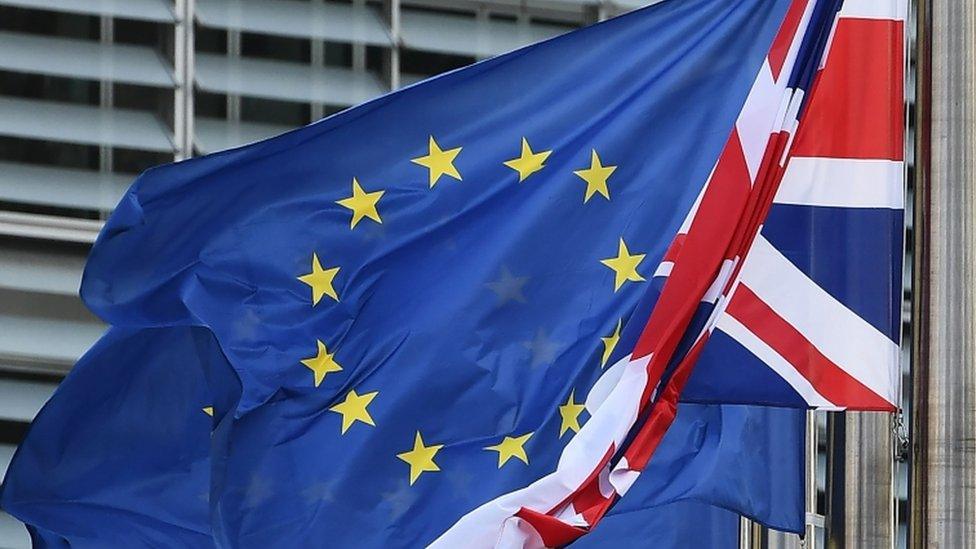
(120, 455)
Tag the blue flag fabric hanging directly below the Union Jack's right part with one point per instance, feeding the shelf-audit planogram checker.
(744, 459)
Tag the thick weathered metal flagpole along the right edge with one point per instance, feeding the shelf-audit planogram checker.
(943, 484)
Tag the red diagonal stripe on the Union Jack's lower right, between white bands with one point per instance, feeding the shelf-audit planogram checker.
(829, 379)
